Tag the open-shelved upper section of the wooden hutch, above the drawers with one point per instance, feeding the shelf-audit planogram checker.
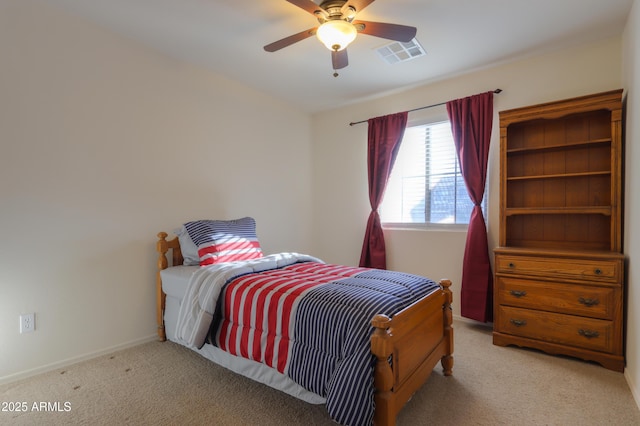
(560, 170)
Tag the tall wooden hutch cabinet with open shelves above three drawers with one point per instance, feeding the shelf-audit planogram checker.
(559, 270)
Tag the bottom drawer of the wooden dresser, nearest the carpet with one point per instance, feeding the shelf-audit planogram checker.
(587, 333)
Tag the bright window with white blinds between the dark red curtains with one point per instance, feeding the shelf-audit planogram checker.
(426, 185)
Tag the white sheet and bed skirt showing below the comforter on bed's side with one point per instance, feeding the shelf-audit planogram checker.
(175, 280)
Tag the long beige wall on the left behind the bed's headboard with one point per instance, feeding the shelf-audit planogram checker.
(103, 144)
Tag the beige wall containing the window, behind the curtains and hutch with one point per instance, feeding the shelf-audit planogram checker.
(339, 152)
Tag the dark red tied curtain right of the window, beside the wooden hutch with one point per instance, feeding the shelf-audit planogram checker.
(471, 120)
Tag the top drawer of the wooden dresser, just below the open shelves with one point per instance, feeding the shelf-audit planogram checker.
(576, 269)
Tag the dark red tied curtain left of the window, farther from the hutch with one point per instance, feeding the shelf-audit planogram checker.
(385, 134)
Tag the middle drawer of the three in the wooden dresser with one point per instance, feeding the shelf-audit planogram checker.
(585, 300)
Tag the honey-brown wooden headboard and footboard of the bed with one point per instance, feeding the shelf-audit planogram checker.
(415, 340)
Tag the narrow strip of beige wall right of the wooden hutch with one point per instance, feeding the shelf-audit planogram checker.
(632, 196)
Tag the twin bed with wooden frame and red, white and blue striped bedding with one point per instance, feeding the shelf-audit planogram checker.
(361, 341)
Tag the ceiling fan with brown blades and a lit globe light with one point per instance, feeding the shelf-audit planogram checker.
(338, 28)
